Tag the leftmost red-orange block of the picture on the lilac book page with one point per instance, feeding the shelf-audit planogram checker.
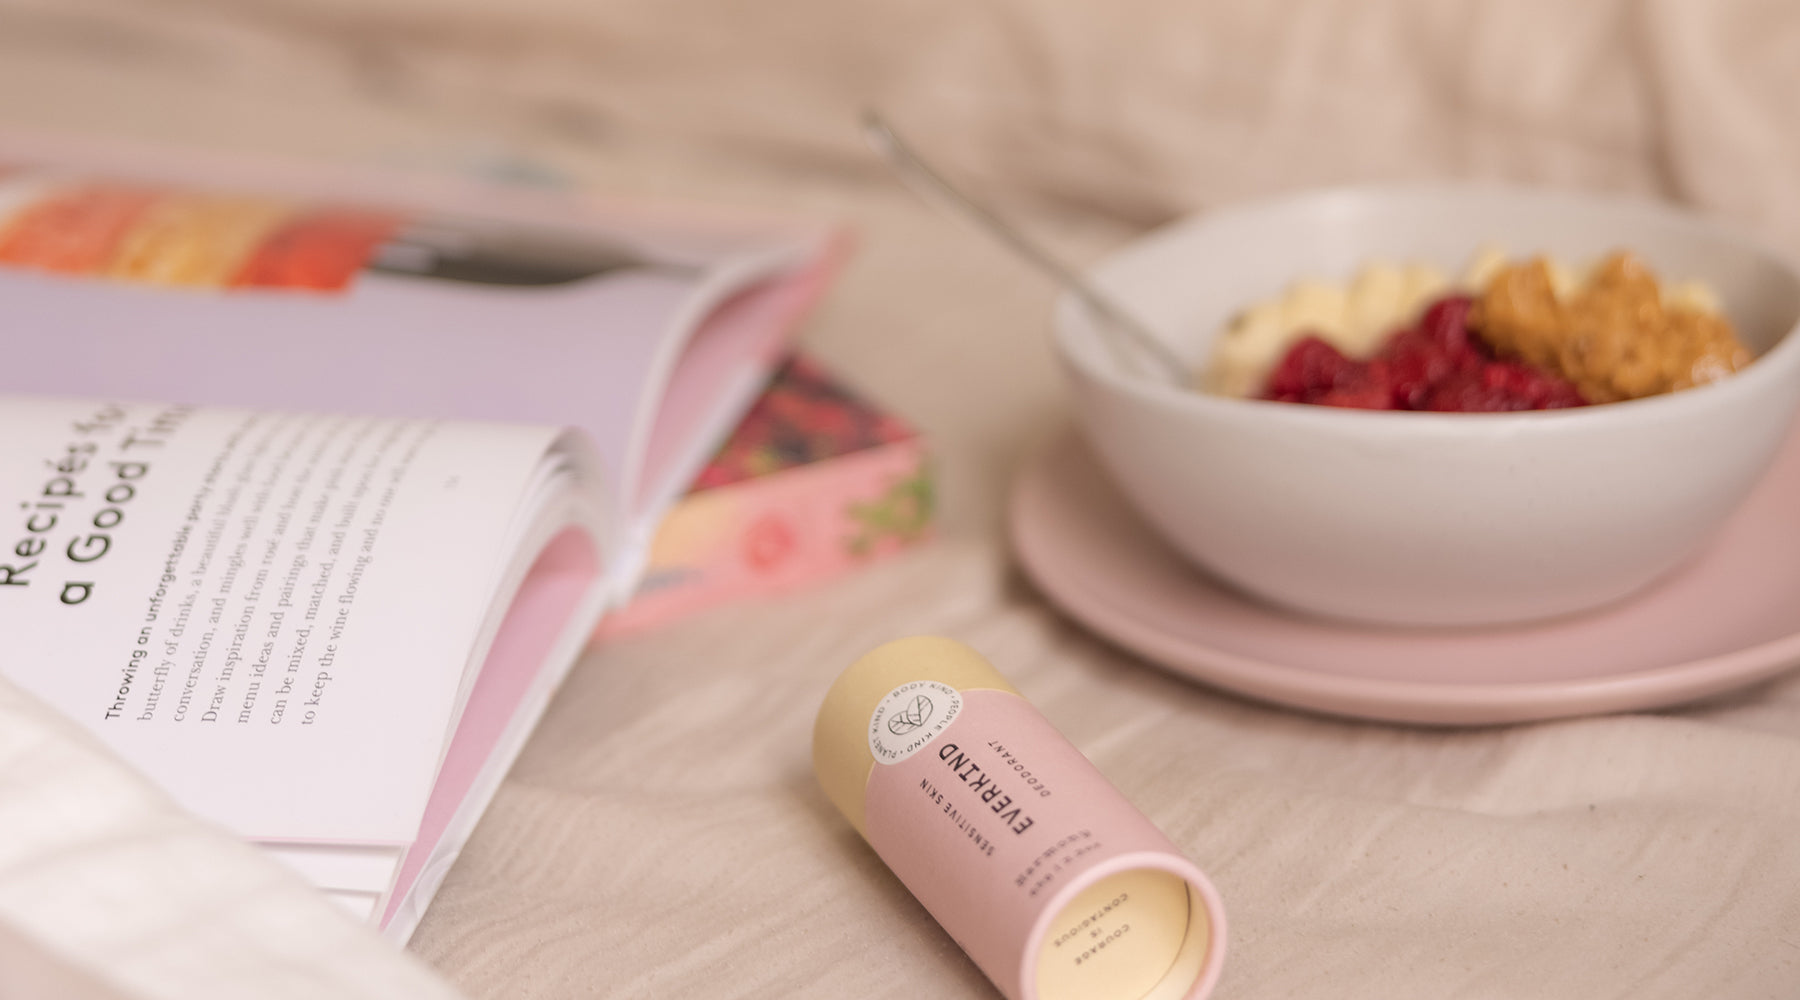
(73, 231)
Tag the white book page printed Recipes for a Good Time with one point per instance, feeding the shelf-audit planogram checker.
(269, 614)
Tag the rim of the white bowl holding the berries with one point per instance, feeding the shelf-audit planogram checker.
(1070, 317)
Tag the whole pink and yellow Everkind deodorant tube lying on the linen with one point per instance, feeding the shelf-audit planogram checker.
(1041, 871)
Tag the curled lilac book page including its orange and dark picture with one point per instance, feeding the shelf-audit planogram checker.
(220, 290)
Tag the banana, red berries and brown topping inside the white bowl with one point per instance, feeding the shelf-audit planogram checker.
(1527, 335)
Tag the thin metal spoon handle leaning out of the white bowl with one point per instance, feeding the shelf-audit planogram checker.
(1115, 319)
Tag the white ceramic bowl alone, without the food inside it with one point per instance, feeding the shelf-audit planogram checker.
(1432, 519)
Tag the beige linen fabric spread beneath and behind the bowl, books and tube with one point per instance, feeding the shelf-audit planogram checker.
(663, 835)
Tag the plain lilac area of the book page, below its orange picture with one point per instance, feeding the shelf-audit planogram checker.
(391, 346)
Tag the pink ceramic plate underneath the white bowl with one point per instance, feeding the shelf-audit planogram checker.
(1727, 620)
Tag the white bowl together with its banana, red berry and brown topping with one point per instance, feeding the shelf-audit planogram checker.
(1579, 424)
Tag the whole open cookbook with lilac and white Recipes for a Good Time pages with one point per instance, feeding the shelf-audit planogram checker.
(418, 443)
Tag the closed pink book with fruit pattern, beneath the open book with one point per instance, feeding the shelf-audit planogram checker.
(813, 485)
